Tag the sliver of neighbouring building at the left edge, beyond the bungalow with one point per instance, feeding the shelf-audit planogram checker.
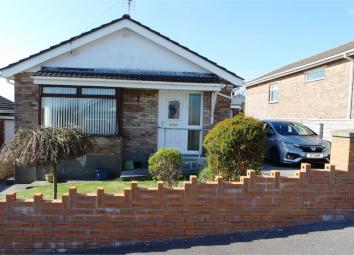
(7, 120)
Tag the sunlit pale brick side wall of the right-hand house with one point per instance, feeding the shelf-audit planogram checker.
(322, 99)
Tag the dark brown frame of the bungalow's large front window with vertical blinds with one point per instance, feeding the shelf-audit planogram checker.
(118, 97)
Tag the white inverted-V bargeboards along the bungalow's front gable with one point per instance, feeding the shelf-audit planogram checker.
(113, 28)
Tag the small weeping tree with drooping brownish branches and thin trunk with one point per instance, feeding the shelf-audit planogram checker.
(46, 146)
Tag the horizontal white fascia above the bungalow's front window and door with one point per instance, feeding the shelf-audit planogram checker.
(65, 81)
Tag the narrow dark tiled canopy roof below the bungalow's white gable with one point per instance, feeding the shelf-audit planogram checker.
(191, 77)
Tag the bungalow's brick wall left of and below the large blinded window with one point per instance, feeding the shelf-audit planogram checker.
(107, 152)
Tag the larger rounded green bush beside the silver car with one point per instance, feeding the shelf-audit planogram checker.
(235, 145)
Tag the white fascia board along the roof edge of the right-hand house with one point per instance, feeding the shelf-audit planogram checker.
(300, 68)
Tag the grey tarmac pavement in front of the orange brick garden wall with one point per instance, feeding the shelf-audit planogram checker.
(322, 239)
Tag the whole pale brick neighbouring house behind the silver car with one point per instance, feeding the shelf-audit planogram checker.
(317, 91)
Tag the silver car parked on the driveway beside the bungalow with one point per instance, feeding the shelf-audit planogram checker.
(292, 142)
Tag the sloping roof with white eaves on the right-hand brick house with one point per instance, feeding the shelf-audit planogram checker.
(310, 62)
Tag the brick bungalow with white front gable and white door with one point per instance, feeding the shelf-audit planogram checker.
(132, 88)
